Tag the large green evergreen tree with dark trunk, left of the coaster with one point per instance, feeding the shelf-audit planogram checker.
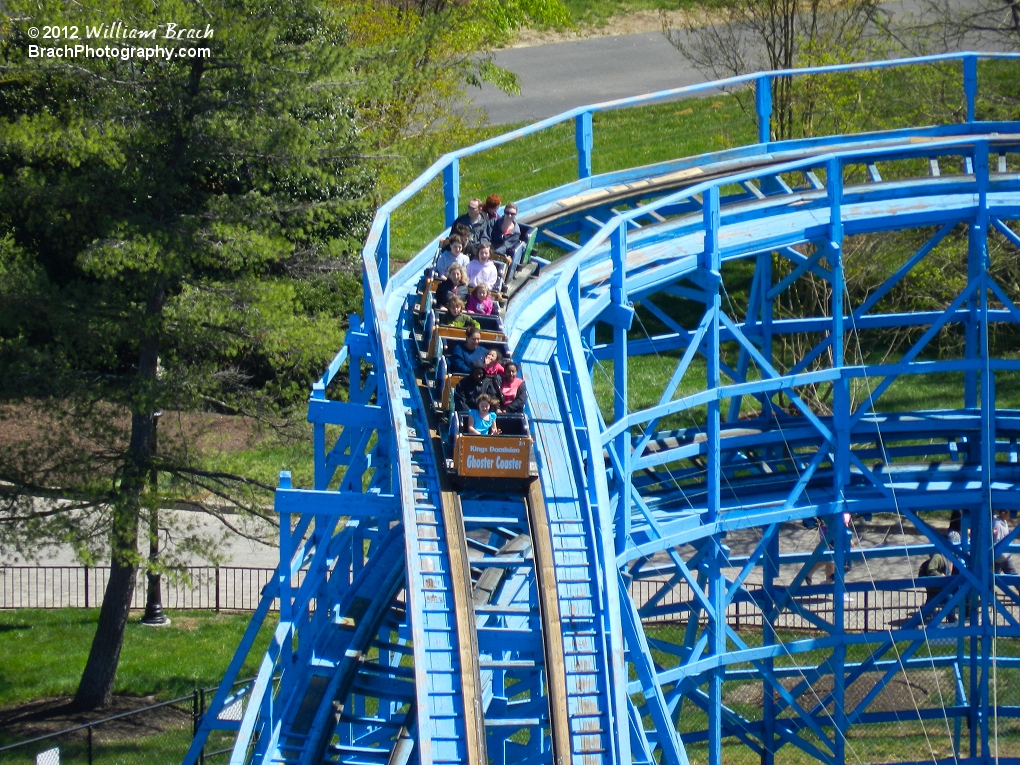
(176, 235)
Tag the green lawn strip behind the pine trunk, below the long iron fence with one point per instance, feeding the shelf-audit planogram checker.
(43, 653)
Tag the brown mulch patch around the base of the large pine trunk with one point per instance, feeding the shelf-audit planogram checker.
(47, 717)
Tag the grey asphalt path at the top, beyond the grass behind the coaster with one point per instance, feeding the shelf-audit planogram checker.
(559, 77)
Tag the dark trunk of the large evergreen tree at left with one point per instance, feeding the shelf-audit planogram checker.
(96, 686)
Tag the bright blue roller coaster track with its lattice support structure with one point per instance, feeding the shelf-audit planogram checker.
(423, 627)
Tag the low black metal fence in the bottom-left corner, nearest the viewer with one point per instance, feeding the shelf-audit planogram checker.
(152, 736)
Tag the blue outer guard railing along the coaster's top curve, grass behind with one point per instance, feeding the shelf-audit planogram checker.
(412, 219)
